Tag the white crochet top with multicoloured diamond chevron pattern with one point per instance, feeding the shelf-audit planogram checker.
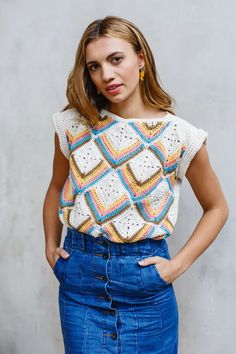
(125, 174)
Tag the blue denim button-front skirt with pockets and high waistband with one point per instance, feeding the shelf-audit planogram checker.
(109, 303)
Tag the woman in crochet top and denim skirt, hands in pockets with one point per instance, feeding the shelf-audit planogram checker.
(121, 154)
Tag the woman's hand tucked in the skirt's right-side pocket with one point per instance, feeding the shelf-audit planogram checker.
(167, 269)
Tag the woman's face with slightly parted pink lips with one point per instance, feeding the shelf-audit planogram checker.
(113, 61)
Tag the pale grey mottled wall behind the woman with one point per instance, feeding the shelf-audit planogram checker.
(194, 46)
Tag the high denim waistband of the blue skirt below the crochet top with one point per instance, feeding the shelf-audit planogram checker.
(83, 242)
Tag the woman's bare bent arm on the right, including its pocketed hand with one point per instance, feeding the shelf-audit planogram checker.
(206, 188)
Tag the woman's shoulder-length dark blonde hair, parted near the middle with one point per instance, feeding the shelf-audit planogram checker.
(82, 93)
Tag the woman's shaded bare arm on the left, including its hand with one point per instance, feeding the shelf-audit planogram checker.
(51, 222)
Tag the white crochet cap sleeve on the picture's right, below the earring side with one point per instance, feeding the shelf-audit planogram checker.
(193, 138)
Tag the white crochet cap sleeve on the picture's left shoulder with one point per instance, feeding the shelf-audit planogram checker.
(60, 128)
